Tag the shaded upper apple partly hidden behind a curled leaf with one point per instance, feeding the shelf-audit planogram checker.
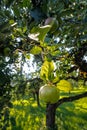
(53, 22)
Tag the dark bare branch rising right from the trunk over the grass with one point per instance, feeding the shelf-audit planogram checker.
(70, 99)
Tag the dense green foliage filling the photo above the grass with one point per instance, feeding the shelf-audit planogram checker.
(23, 34)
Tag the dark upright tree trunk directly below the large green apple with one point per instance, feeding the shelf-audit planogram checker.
(50, 117)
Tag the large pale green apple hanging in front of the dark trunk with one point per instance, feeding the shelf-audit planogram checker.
(49, 94)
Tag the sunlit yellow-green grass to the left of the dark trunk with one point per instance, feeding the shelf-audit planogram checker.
(26, 115)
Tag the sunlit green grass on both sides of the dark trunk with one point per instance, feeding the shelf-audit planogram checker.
(26, 115)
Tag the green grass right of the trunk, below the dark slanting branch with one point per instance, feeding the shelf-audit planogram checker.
(72, 116)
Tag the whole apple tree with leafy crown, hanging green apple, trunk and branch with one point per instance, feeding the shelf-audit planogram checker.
(55, 33)
